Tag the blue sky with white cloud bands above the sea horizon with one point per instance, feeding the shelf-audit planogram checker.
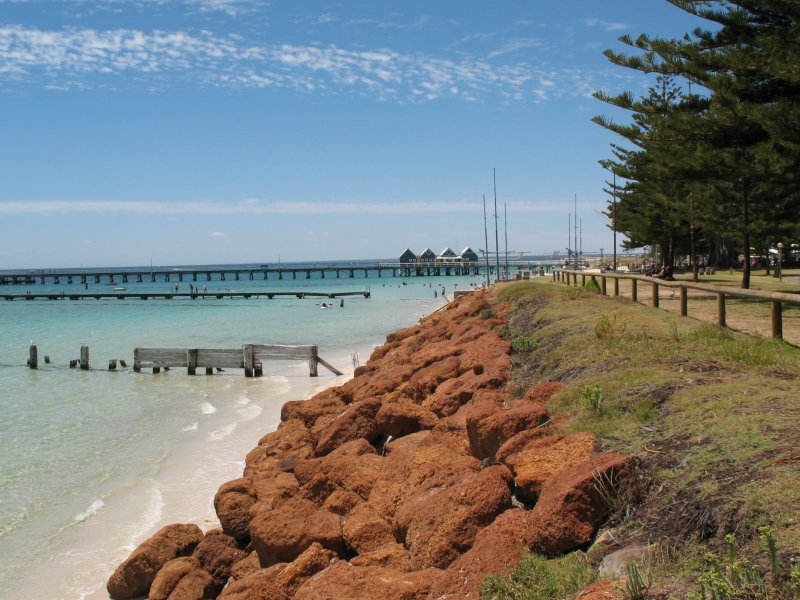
(215, 131)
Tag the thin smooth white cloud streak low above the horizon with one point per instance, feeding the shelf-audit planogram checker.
(258, 207)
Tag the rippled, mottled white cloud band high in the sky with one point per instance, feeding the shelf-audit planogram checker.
(85, 58)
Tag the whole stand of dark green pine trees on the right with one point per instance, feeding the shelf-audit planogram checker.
(709, 160)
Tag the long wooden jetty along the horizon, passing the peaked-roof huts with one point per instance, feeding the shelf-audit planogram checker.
(263, 272)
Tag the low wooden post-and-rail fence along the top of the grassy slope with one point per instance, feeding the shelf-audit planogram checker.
(776, 299)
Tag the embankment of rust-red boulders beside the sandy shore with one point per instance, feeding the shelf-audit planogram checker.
(416, 479)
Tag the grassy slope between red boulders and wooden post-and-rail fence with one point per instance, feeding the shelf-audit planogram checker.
(714, 418)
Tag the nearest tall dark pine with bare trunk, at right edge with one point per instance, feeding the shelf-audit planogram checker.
(748, 119)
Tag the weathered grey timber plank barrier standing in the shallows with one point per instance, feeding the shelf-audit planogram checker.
(249, 357)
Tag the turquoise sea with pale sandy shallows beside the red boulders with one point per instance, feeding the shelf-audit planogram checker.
(92, 463)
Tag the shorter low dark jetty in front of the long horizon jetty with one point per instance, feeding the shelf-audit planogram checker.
(173, 295)
